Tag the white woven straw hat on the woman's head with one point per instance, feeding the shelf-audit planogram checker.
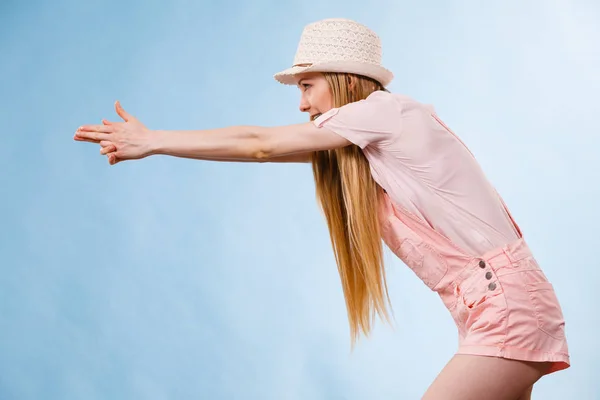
(337, 45)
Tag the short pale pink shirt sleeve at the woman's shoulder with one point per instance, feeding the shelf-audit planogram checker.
(374, 120)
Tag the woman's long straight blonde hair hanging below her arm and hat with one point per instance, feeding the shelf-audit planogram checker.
(350, 198)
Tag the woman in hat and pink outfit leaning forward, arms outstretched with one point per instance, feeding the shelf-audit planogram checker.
(386, 167)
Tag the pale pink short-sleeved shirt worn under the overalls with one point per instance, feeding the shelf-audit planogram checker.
(425, 168)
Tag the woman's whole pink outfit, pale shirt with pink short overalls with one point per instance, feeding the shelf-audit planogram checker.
(447, 223)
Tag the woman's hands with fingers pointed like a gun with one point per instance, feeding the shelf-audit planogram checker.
(119, 141)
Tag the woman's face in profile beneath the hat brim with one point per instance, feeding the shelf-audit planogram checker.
(316, 97)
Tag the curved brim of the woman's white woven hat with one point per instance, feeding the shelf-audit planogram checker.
(377, 72)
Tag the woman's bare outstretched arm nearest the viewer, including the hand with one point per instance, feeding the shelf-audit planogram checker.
(132, 140)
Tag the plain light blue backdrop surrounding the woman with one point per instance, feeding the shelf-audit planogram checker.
(168, 278)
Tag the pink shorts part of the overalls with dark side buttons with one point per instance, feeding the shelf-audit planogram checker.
(504, 306)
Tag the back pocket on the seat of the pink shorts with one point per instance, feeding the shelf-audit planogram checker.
(550, 319)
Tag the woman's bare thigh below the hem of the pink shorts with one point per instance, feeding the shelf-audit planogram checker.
(468, 377)
